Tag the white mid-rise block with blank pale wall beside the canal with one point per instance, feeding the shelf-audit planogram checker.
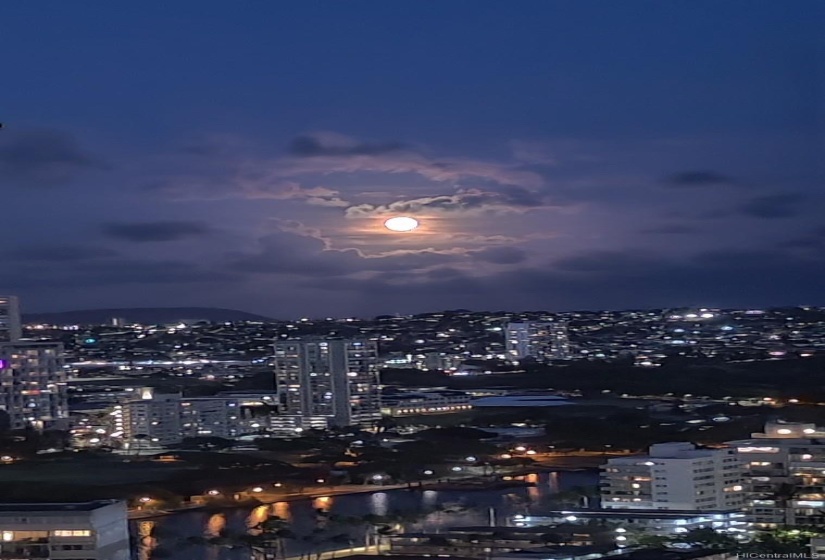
(674, 476)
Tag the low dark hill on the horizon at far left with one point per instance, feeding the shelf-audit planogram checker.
(144, 315)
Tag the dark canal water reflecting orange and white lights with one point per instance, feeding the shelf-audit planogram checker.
(175, 537)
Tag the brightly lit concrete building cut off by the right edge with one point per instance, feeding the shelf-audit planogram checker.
(784, 475)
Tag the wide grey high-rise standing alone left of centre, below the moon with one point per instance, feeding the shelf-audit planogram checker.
(332, 378)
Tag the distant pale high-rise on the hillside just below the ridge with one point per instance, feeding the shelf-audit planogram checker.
(541, 341)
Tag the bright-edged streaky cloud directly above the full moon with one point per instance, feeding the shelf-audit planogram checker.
(514, 199)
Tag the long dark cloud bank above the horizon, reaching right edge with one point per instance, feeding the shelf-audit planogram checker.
(602, 280)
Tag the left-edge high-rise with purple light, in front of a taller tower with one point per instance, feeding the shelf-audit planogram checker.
(33, 384)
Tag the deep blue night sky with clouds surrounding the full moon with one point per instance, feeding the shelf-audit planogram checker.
(559, 154)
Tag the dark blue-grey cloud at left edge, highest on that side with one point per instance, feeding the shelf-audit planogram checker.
(43, 158)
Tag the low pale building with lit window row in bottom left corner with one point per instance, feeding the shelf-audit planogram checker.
(68, 531)
